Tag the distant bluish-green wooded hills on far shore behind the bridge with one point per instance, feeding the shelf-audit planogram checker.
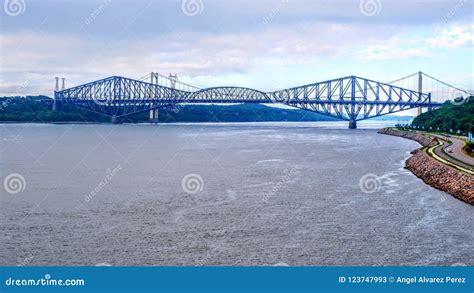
(38, 109)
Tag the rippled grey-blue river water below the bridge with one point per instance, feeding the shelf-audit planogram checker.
(221, 194)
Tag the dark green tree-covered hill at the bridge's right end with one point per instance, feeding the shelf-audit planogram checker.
(455, 116)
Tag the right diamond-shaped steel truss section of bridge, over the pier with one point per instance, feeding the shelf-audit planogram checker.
(352, 98)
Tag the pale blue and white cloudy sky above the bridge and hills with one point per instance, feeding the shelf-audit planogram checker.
(260, 44)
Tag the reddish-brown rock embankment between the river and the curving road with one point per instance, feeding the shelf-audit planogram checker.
(434, 173)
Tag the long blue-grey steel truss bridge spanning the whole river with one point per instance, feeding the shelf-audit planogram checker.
(350, 98)
